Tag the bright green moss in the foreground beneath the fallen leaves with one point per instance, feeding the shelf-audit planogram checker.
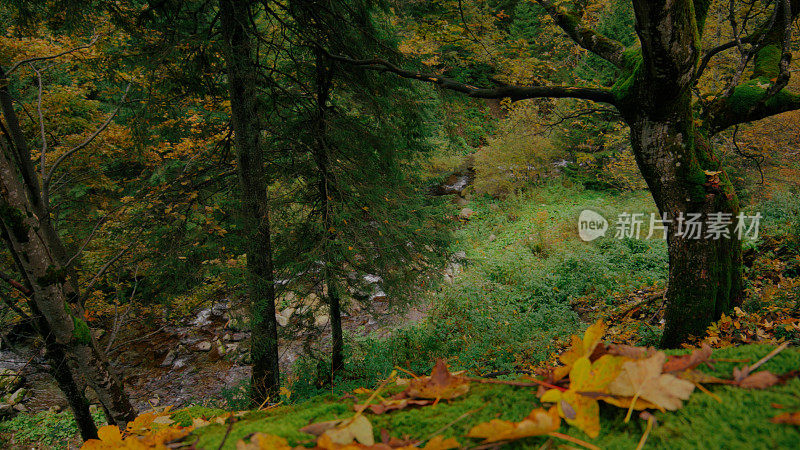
(741, 420)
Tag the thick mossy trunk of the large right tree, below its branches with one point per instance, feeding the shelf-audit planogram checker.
(705, 276)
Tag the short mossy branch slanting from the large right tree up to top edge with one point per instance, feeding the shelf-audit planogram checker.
(602, 46)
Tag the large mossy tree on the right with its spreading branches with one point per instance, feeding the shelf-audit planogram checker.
(672, 127)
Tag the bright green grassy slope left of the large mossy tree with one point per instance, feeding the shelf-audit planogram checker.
(512, 305)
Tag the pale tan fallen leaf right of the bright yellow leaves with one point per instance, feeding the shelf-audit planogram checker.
(643, 379)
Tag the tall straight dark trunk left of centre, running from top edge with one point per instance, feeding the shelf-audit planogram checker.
(246, 114)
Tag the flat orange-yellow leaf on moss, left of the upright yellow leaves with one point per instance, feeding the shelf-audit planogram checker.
(538, 422)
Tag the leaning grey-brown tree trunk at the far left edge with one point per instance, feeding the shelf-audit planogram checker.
(50, 284)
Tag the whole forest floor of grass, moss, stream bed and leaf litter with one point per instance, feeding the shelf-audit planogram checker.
(527, 283)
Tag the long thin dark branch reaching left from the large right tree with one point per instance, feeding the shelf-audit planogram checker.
(515, 93)
